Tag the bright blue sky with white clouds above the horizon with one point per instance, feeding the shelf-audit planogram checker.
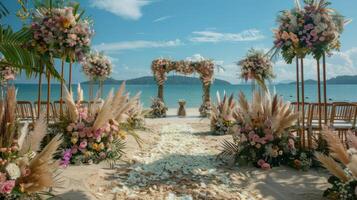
(134, 32)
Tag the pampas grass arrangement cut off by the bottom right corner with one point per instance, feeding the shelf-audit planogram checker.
(344, 172)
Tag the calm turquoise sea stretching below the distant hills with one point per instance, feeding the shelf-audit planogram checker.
(193, 93)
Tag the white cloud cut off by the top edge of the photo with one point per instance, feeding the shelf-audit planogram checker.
(128, 9)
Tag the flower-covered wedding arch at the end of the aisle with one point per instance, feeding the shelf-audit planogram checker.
(205, 69)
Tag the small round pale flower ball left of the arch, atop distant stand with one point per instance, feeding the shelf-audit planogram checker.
(97, 66)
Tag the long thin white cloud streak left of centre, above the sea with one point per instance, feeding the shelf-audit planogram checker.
(139, 44)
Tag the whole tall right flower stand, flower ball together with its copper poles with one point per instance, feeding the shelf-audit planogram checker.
(313, 30)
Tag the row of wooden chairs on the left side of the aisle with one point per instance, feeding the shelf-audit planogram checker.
(27, 111)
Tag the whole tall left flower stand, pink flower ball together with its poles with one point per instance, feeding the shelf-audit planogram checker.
(59, 33)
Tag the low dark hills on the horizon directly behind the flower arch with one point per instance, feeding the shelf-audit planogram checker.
(171, 80)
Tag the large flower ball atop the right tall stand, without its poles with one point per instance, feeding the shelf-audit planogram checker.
(313, 29)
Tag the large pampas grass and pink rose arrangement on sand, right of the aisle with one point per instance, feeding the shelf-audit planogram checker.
(261, 132)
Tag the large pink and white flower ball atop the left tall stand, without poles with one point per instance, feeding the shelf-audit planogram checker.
(61, 32)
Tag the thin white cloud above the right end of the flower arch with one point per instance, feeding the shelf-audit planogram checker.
(212, 36)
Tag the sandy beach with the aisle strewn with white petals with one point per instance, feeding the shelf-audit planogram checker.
(178, 161)
